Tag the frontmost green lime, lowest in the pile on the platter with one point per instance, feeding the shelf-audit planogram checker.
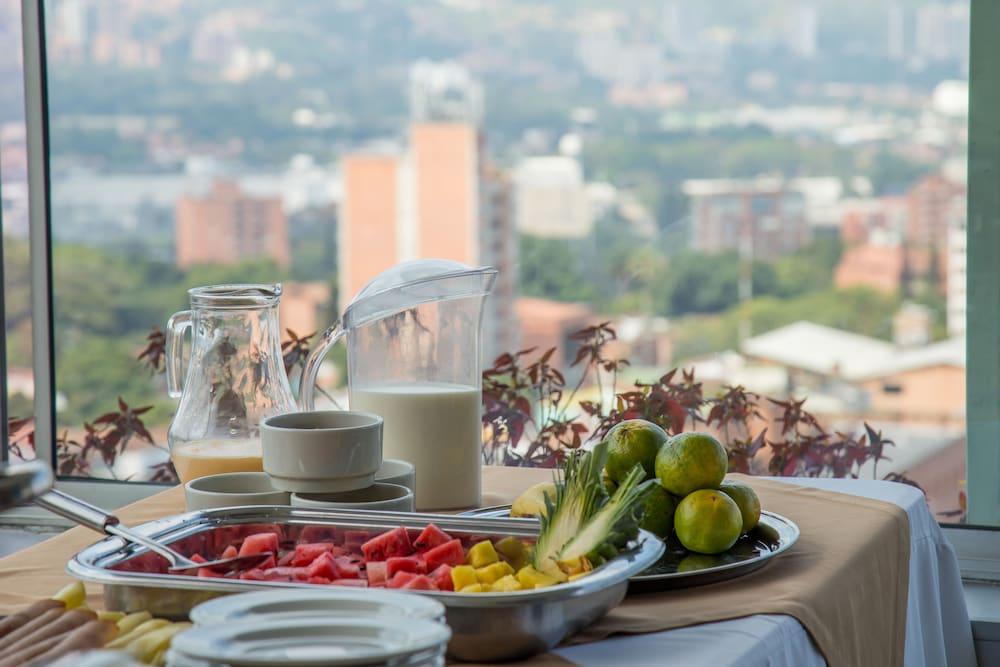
(708, 522)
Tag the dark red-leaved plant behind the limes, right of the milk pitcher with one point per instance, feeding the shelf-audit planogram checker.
(529, 419)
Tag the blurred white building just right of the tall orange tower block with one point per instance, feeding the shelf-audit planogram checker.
(551, 197)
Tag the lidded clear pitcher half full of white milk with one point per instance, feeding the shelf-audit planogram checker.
(414, 357)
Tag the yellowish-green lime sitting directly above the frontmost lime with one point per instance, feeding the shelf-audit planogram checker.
(691, 461)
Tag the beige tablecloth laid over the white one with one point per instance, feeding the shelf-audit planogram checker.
(845, 580)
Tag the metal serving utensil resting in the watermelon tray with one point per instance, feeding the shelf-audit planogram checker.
(97, 519)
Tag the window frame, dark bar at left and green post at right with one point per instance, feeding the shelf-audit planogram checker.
(978, 546)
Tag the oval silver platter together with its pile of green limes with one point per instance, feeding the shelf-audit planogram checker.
(713, 529)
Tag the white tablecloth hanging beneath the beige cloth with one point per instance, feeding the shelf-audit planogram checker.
(938, 632)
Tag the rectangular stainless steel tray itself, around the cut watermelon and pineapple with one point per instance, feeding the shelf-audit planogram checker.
(485, 627)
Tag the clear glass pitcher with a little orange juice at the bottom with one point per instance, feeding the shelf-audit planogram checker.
(235, 378)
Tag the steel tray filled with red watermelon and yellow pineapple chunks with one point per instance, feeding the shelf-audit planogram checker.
(320, 548)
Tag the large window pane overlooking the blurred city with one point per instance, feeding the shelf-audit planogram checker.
(769, 193)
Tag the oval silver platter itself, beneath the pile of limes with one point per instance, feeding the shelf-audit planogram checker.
(678, 568)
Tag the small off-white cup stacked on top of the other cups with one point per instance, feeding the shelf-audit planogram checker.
(327, 451)
